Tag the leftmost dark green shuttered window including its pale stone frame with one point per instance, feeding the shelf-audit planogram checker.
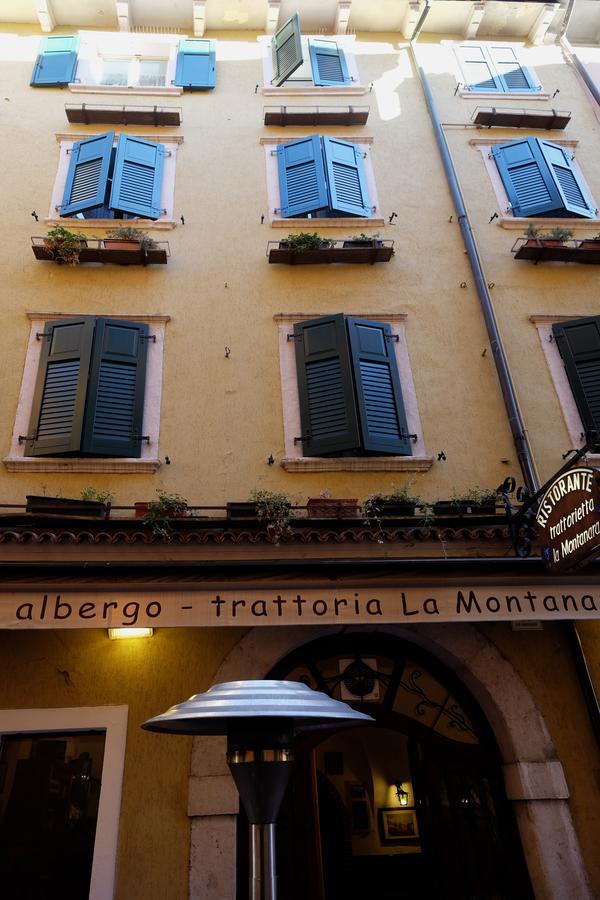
(90, 395)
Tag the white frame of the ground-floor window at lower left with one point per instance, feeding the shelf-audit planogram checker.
(113, 721)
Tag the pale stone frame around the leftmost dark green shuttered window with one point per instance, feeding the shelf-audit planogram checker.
(147, 463)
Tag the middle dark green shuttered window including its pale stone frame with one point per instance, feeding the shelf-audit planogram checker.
(348, 396)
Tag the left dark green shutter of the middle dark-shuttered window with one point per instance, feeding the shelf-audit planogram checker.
(328, 411)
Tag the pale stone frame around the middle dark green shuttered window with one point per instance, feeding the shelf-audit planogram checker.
(293, 460)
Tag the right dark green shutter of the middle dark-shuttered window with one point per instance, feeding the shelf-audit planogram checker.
(377, 386)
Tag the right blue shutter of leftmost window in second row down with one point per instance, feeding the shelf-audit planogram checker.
(137, 177)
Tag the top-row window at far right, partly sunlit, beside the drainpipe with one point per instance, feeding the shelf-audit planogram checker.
(495, 68)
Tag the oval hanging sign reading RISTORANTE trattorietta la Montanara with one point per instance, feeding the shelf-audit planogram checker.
(568, 519)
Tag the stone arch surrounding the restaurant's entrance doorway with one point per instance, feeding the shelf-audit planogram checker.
(533, 774)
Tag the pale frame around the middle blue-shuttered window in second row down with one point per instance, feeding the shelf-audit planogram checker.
(274, 196)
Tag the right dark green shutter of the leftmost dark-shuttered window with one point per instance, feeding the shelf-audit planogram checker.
(115, 405)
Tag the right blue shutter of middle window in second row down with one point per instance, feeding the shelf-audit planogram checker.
(348, 191)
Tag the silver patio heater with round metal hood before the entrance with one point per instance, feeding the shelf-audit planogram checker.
(260, 719)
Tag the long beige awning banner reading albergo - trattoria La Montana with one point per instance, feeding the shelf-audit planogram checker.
(270, 606)
